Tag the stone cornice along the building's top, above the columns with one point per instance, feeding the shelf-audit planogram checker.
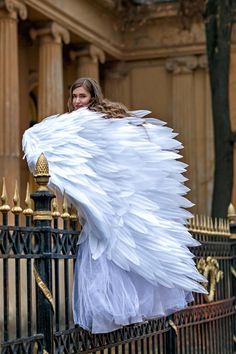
(156, 37)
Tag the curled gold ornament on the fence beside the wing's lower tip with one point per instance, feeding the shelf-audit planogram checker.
(209, 268)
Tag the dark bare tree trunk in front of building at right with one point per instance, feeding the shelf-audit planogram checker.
(218, 17)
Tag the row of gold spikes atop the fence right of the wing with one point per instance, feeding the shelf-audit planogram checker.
(208, 226)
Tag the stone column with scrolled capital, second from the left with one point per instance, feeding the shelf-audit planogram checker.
(51, 38)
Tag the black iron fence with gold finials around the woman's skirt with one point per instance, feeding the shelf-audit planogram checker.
(36, 277)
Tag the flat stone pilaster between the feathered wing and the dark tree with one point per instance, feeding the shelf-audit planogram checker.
(192, 120)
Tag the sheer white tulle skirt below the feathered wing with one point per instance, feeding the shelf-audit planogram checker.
(106, 297)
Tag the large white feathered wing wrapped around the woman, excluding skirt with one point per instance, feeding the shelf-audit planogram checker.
(125, 179)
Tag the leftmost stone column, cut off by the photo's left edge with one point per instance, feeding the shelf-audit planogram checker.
(10, 142)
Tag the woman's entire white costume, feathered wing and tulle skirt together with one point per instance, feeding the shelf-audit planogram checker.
(124, 177)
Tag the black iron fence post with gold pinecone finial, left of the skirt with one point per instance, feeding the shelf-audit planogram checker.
(43, 265)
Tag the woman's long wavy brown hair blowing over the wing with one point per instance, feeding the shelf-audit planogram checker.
(97, 103)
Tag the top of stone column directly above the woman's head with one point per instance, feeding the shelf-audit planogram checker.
(88, 60)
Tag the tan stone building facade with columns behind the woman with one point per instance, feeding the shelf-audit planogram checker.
(143, 58)
